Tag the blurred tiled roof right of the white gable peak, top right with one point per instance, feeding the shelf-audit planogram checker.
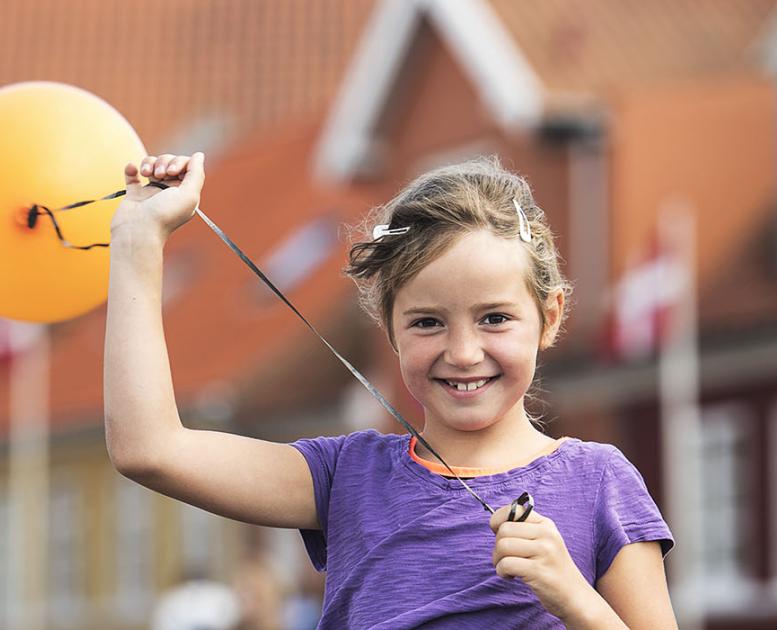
(603, 45)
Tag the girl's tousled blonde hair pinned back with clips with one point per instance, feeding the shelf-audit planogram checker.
(439, 207)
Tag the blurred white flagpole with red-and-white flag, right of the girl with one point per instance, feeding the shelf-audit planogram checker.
(680, 416)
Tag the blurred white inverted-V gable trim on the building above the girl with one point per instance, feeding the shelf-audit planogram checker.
(507, 84)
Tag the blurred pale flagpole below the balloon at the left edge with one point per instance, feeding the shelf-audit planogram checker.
(28, 477)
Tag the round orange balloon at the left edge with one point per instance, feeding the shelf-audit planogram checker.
(60, 144)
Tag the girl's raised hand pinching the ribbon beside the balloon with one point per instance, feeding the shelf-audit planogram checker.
(160, 212)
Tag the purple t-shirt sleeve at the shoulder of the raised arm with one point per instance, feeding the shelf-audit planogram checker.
(321, 455)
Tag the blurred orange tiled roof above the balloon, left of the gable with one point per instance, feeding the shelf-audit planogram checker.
(165, 65)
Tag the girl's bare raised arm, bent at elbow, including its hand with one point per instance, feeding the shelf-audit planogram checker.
(242, 478)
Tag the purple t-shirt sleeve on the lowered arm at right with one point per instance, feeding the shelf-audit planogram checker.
(625, 513)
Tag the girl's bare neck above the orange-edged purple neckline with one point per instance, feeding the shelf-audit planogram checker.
(502, 445)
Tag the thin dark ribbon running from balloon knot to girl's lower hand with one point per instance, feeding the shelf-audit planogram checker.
(37, 209)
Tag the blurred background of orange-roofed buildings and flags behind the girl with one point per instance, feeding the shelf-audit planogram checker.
(647, 130)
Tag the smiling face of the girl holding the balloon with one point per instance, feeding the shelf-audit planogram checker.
(467, 331)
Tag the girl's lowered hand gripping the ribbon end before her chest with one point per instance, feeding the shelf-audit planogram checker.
(535, 552)
